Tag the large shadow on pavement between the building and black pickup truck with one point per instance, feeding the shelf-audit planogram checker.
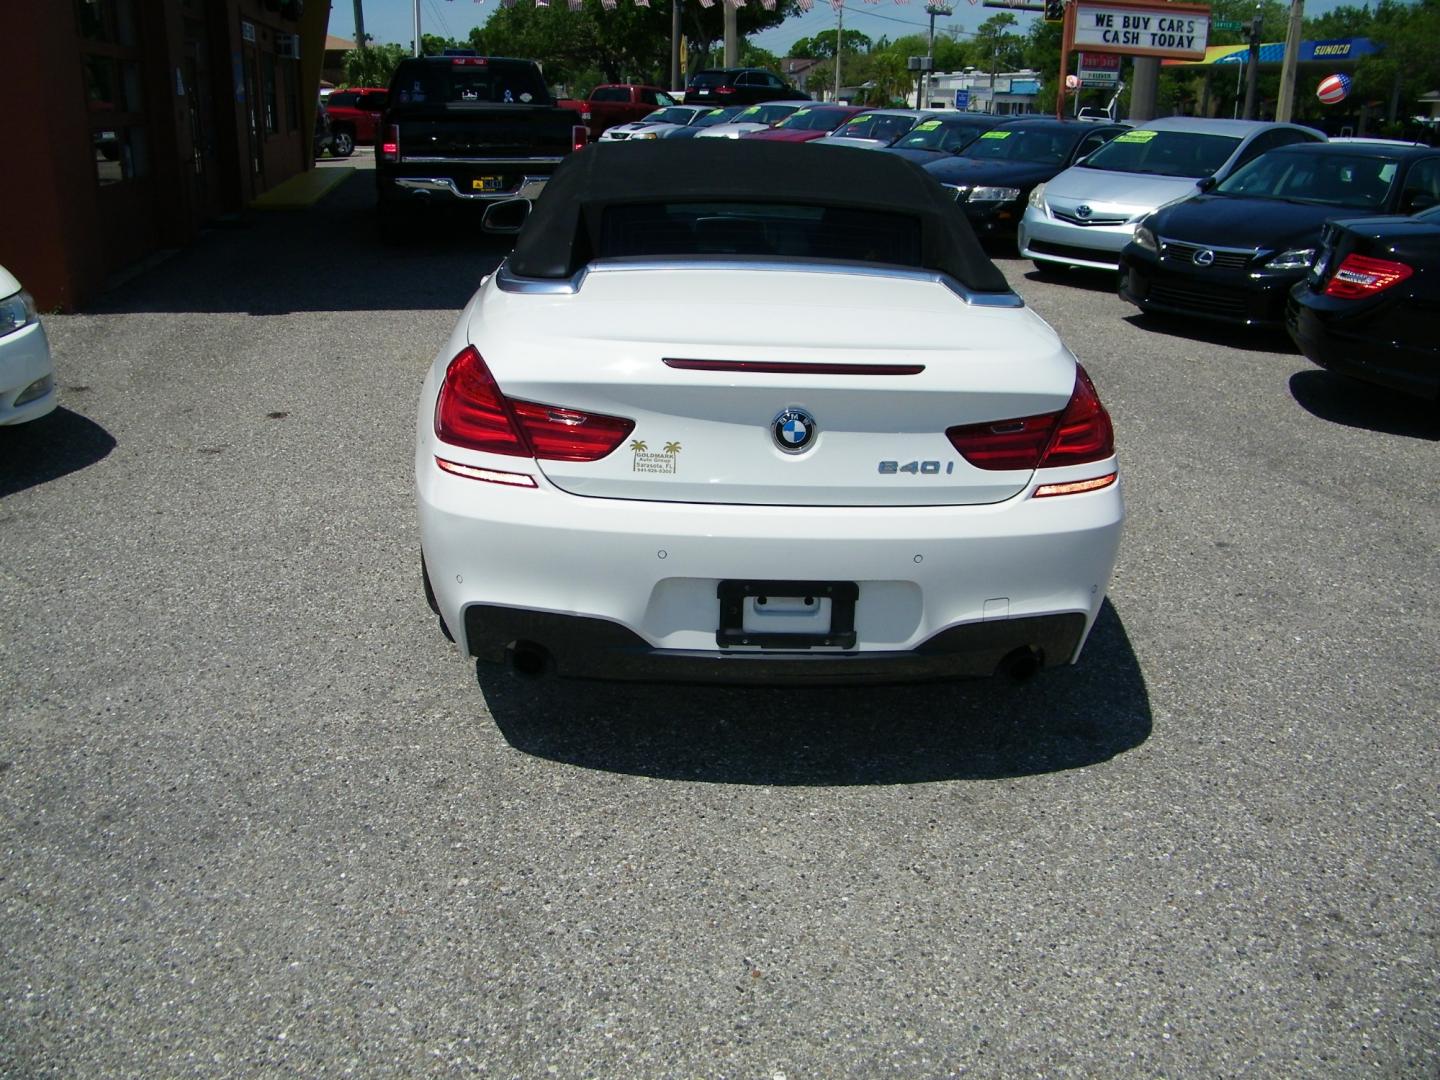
(323, 258)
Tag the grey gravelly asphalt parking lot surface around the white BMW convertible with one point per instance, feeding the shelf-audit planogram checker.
(257, 817)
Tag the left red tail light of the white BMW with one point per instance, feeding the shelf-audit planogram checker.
(473, 413)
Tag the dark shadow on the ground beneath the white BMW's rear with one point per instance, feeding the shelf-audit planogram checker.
(990, 729)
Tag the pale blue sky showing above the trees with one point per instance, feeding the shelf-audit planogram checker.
(391, 21)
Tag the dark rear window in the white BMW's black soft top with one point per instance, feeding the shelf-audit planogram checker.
(754, 230)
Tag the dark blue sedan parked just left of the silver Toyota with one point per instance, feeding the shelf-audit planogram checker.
(994, 175)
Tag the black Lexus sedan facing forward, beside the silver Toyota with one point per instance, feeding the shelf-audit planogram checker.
(1235, 251)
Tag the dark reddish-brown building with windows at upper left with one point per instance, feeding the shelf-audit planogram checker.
(135, 123)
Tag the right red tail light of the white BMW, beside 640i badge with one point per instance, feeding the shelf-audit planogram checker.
(1076, 436)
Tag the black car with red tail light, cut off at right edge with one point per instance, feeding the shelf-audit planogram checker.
(1369, 307)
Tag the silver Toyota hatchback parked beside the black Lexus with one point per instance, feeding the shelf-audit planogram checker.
(1089, 212)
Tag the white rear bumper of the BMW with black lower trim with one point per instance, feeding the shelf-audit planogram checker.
(630, 590)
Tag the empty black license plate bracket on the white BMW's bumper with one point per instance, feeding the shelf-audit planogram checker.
(737, 597)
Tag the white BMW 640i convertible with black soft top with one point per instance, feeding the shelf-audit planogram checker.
(732, 413)
